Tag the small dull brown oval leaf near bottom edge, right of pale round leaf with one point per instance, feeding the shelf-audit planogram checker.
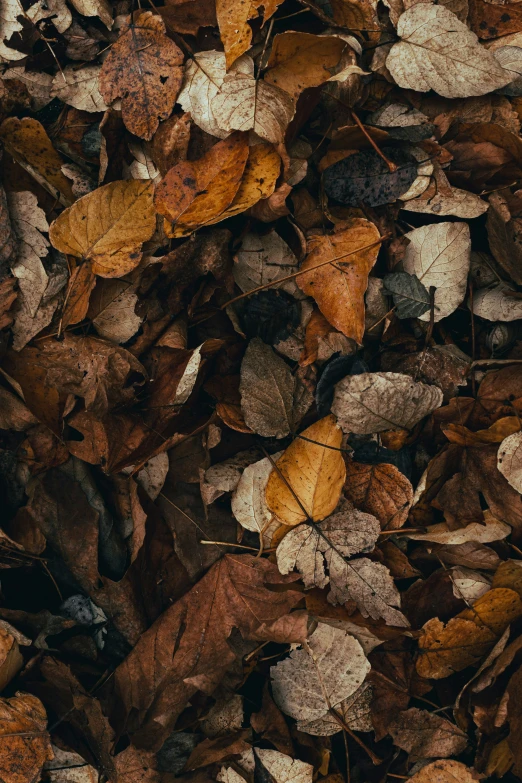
(424, 735)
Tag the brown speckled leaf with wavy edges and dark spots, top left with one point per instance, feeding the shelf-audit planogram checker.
(144, 69)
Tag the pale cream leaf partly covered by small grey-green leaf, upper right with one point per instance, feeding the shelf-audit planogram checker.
(439, 255)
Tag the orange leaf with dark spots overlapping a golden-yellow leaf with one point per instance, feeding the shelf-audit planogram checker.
(193, 194)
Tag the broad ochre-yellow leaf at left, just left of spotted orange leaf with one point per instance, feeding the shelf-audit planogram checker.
(108, 226)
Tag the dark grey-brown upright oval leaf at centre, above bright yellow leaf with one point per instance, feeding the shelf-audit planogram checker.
(272, 401)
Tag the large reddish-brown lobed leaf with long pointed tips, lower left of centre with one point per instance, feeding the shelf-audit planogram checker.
(186, 649)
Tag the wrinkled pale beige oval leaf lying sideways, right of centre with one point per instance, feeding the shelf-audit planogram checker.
(374, 402)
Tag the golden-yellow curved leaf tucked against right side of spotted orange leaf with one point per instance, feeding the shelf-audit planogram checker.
(259, 178)
